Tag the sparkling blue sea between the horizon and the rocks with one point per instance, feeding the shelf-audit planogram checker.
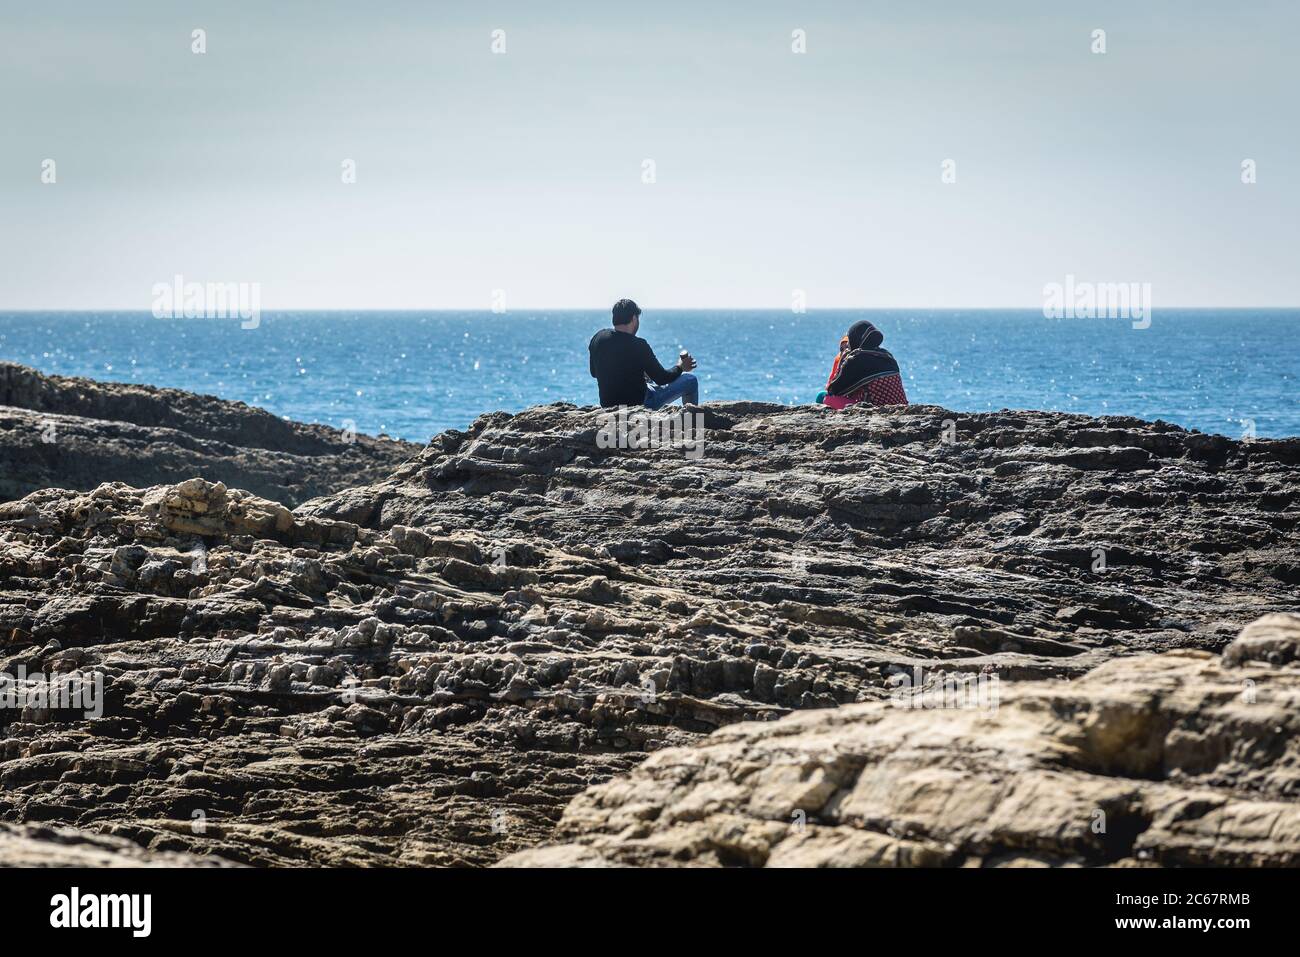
(417, 374)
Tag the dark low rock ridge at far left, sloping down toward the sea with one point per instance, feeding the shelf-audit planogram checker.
(77, 434)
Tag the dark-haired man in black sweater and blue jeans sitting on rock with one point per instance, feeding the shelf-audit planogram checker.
(627, 371)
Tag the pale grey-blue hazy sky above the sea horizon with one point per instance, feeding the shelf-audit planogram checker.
(523, 171)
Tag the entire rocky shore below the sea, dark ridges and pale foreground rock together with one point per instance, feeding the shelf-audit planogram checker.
(521, 647)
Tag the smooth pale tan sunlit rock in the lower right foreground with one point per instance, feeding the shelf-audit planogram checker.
(1177, 760)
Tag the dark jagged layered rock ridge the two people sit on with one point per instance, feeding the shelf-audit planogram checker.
(428, 670)
